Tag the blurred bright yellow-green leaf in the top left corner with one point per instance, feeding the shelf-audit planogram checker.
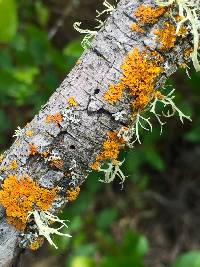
(8, 20)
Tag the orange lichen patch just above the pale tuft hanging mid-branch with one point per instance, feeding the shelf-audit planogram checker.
(110, 150)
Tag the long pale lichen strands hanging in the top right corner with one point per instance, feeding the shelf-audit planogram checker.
(189, 11)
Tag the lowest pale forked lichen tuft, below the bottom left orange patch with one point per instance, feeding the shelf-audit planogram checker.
(42, 220)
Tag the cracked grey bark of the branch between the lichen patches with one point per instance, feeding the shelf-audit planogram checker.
(80, 142)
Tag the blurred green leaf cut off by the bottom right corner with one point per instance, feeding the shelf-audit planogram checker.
(189, 259)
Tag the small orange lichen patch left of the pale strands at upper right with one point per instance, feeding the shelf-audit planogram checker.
(166, 36)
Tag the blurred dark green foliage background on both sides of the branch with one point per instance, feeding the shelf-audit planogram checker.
(154, 221)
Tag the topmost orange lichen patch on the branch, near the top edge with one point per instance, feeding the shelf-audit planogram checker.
(147, 14)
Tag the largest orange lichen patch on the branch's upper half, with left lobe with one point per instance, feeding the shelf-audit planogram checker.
(140, 73)
